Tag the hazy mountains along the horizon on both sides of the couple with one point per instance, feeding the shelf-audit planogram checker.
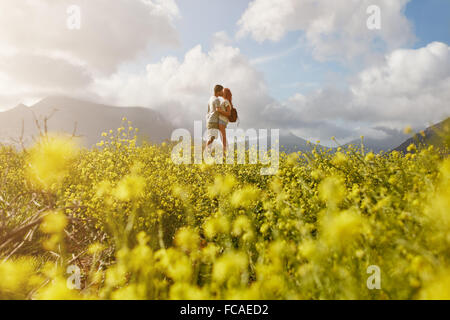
(88, 120)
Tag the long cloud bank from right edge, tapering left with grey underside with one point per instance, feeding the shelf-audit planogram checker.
(411, 87)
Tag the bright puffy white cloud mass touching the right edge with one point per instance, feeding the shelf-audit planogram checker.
(412, 86)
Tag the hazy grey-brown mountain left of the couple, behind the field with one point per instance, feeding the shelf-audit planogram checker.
(88, 120)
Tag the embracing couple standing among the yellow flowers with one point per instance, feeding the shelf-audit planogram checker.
(220, 112)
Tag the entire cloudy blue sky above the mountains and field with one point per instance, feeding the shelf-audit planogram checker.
(309, 67)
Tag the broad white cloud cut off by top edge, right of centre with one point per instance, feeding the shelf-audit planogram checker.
(334, 29)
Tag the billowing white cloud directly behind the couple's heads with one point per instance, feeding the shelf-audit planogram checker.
(181, 89)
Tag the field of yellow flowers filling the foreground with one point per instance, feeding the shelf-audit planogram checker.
(139, 226)
